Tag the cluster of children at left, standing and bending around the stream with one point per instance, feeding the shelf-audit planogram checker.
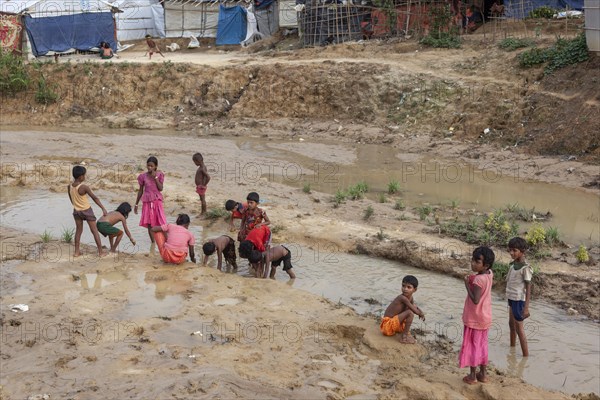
(174, 241)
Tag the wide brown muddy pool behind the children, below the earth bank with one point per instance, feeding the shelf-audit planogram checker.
(433, 181)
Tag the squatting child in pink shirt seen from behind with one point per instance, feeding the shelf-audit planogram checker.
(174, 248)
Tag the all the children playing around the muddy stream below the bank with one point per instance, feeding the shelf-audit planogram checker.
(175, 242)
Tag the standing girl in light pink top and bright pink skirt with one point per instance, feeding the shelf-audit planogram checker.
(477, 316)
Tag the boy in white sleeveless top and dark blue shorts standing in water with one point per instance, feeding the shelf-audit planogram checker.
(518, 292)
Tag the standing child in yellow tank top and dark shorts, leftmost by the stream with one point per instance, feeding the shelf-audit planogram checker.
(82, 211)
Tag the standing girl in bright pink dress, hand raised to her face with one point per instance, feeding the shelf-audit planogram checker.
(151, 184)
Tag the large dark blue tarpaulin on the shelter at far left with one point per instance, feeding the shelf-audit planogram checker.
(76, 31)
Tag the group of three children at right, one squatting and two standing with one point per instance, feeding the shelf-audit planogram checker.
(477, 312)
